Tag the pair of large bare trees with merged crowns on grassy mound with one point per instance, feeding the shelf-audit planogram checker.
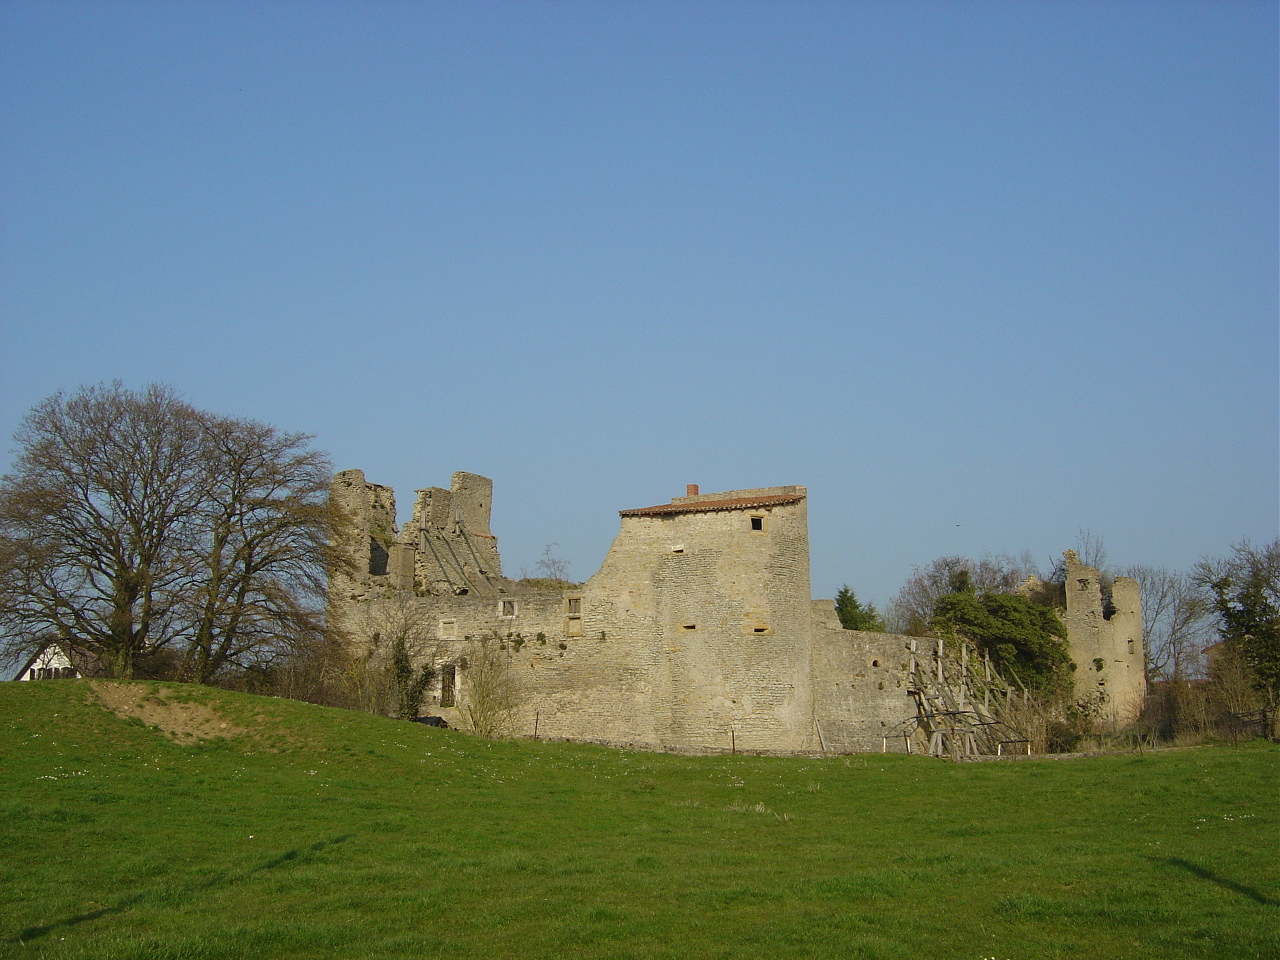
(134, 524)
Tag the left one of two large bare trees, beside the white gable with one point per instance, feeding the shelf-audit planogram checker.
(94, 520)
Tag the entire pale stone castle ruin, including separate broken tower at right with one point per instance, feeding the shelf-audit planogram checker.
(697, 633)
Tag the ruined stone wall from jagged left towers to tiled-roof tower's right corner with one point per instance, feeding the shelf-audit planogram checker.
(696, 632)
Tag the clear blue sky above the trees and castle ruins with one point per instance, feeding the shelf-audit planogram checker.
(979, 275)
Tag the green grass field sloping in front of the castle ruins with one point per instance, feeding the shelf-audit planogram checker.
(324, 834)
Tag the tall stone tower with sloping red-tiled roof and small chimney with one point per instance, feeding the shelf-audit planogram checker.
(714, 593)
